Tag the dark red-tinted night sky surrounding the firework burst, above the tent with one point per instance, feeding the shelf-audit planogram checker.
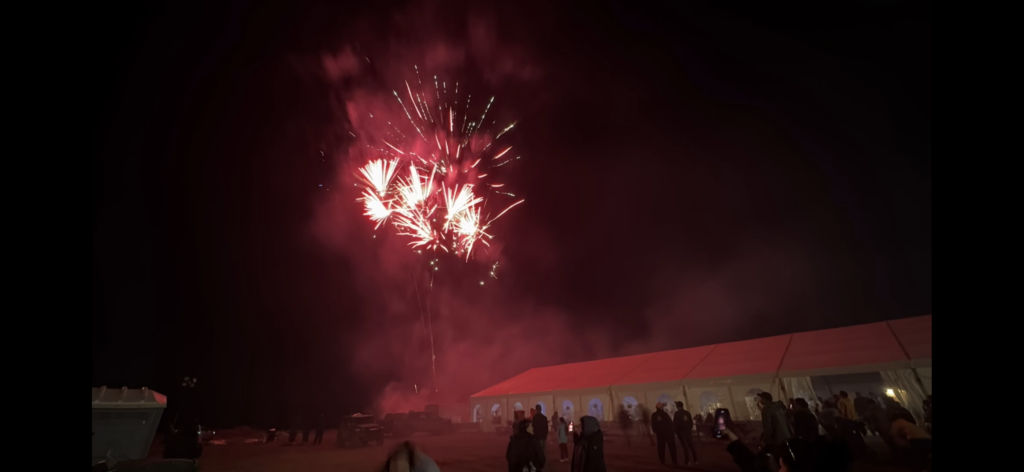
(693, 176)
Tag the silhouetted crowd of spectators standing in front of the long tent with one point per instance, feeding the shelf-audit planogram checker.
(794, 439)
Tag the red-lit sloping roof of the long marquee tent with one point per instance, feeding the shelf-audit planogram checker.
(840, 350)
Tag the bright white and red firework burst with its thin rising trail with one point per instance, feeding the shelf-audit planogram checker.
(436, 180)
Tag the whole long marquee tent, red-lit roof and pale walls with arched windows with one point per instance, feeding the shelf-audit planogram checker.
(728, 375)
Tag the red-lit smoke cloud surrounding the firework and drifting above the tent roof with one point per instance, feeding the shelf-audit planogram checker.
(484, 334)
